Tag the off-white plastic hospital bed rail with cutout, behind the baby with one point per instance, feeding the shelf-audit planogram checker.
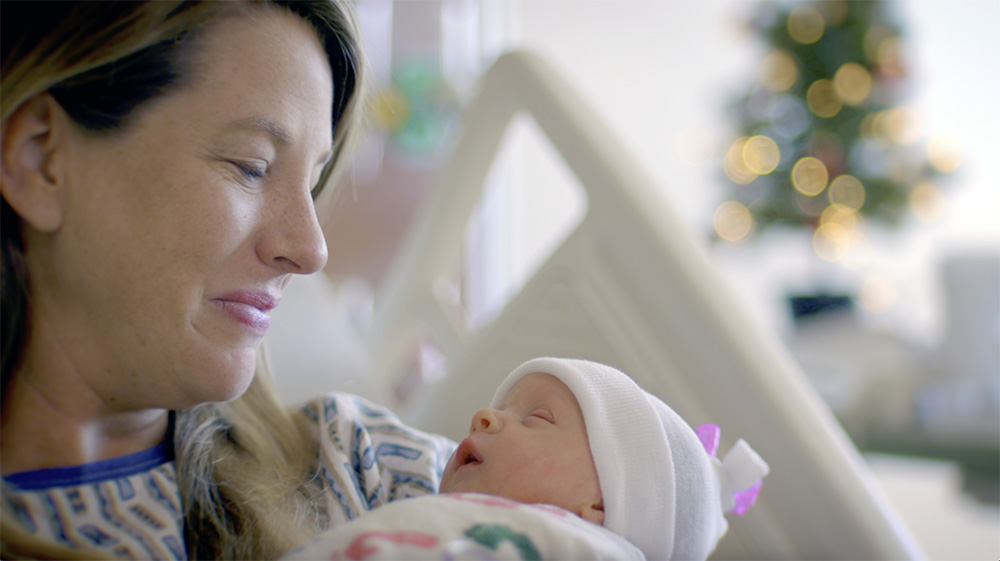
(630, 287)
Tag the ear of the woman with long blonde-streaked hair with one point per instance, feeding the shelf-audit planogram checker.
(30, 178)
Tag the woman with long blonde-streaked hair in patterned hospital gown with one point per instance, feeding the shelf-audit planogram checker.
(159, 167)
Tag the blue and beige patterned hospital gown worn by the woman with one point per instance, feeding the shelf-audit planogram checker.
(131, 505)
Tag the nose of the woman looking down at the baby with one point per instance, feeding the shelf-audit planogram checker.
(294, 242)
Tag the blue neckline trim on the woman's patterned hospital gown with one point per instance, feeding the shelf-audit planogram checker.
(96, 472)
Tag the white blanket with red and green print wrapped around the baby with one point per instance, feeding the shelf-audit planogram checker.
(467, 526)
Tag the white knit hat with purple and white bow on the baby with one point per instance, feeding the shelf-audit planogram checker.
(663, 488)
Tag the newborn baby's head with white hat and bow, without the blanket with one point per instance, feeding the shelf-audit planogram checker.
(586, 438)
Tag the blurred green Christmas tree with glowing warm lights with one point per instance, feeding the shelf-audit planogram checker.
(823, 142)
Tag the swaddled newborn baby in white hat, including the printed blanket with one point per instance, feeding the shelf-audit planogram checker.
(573, 460)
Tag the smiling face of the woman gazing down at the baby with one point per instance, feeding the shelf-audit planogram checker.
(180, 232)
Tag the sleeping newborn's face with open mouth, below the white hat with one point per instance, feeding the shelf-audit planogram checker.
(533, 449)
